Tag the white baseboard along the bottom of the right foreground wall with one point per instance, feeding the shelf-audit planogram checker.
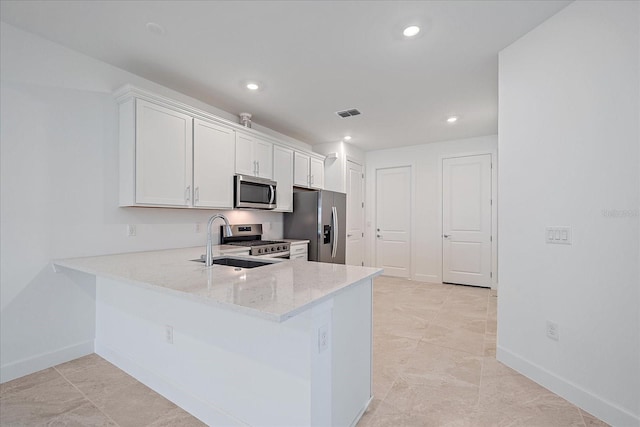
(595, 405)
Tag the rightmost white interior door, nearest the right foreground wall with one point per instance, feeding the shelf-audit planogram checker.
(466, 220)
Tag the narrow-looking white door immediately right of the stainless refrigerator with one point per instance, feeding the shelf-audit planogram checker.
(355, 214)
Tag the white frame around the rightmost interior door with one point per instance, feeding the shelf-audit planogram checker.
(494, 209)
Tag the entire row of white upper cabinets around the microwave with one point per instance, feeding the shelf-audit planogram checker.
(174, 155)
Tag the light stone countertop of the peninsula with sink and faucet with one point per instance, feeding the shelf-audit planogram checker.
(274, 292)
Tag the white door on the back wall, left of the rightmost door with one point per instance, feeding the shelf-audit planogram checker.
(393, 221)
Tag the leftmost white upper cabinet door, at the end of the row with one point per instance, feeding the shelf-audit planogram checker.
(163, 155)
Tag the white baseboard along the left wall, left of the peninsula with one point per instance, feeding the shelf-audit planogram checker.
(23, 367)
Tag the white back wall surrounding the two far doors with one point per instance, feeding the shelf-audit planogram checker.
(426, 168)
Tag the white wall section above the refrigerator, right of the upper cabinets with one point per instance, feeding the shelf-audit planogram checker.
(335, 170)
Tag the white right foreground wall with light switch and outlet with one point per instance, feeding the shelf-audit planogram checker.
(569, 144)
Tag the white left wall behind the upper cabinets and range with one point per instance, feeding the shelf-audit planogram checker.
(59, 196)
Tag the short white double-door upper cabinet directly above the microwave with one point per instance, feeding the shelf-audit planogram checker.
(254, 156)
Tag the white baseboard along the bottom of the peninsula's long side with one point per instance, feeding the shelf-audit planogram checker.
(205, 412)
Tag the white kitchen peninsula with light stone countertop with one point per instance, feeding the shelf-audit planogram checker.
(287, 343)
